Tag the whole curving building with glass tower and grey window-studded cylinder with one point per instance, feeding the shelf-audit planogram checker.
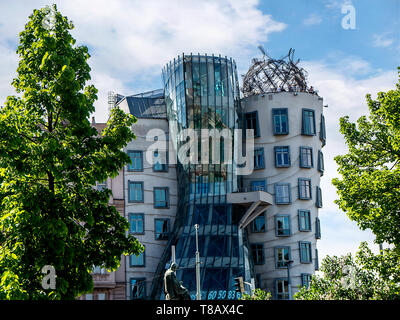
(262, 226)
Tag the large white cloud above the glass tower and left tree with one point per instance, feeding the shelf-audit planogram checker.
(131, 40)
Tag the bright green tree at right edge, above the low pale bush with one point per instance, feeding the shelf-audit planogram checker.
(369, 190)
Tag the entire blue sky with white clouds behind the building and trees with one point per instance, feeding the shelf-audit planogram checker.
(130, 41)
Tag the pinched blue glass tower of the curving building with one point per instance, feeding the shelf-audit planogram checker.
(202, 92)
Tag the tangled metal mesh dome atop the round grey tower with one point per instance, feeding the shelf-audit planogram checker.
(271, 75)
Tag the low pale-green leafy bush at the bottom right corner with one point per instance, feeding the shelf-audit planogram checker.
(365, 277)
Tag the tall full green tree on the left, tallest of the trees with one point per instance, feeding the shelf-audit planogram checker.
(50, 158)
